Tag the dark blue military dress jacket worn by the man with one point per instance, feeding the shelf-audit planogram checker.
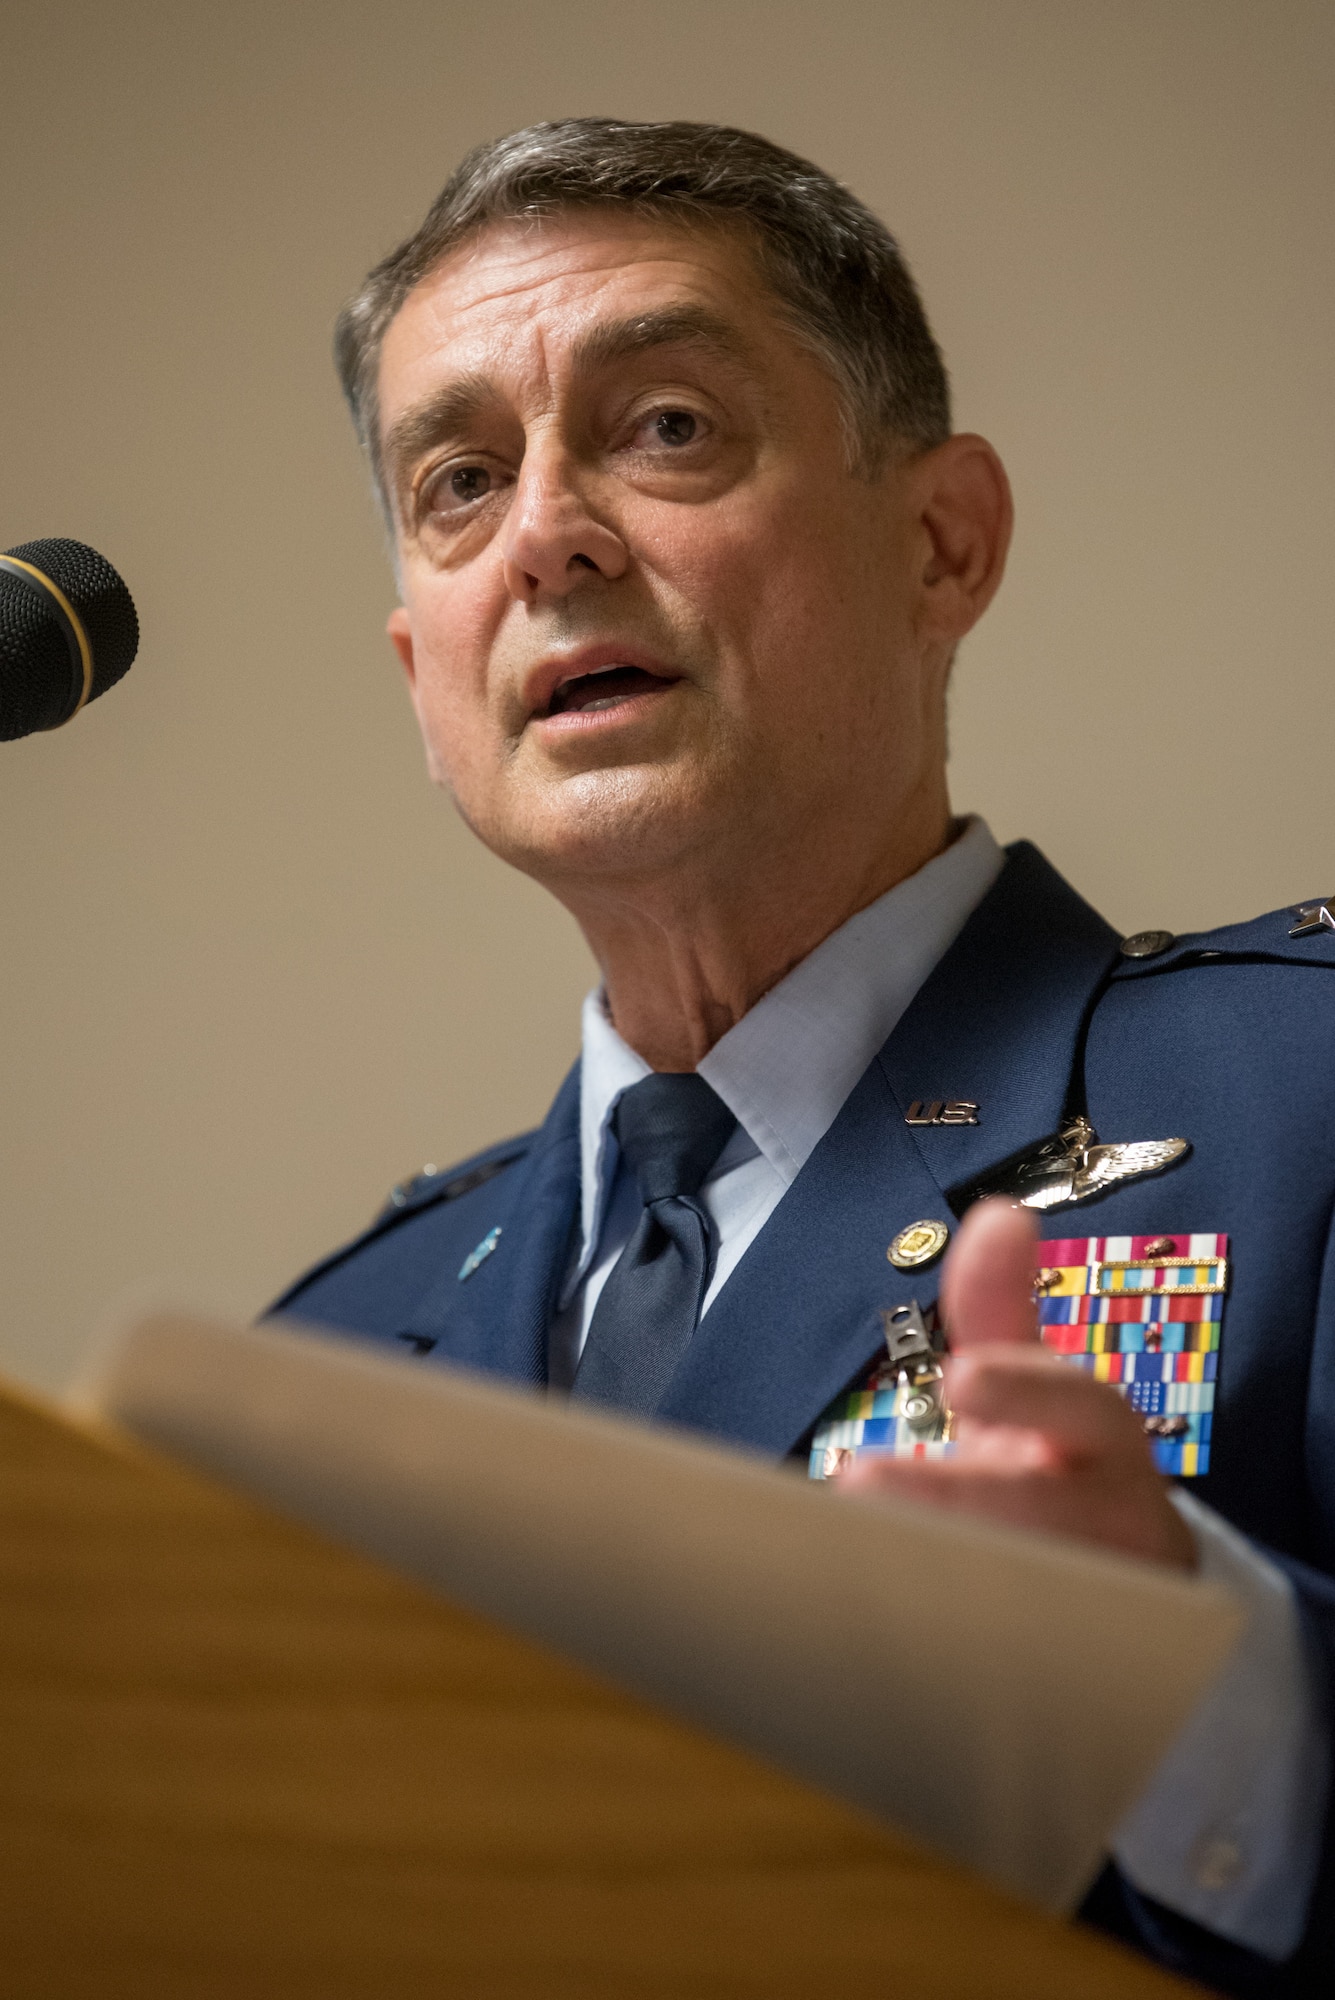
(1222, 1039)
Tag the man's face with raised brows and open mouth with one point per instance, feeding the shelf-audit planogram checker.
(651, 615)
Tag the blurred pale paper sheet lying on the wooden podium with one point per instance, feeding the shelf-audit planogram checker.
(1002, 1697)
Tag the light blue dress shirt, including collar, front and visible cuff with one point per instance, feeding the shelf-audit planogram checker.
(1230, 1829)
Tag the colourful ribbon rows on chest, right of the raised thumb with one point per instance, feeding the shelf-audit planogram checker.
(1144, 1313)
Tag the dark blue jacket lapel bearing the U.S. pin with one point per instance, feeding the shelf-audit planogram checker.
(998, 1023)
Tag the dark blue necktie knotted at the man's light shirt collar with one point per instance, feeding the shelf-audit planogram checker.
(670, 1131)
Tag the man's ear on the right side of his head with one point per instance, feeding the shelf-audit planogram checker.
(966, 515)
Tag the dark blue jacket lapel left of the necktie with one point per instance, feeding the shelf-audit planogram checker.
(499, 1317)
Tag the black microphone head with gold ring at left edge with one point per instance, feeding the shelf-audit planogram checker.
(67, 633)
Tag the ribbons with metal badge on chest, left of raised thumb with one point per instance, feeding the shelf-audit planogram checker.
(900, 1409)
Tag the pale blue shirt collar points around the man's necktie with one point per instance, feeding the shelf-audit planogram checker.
(788, 1065)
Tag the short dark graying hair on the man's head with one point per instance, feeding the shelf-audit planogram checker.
(830, 263)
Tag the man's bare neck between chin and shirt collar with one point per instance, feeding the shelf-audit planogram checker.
(684, 961)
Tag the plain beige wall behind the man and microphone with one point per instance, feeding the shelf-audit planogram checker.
(253, 969)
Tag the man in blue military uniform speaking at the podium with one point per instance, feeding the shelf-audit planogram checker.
(686, 547)
